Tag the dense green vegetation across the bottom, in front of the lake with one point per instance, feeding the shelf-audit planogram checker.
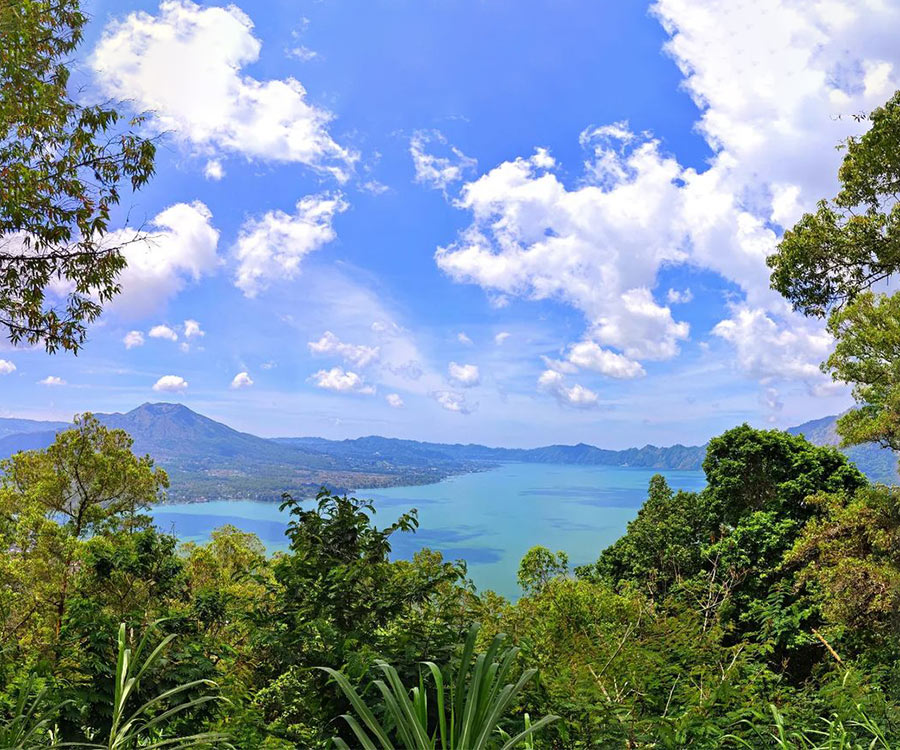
(761, 610)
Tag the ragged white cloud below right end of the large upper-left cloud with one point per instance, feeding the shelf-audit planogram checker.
(271, 248)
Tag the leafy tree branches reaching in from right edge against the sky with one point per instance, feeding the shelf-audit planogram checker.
(830, 260)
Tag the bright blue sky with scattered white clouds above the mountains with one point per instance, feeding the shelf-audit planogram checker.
(512, 222)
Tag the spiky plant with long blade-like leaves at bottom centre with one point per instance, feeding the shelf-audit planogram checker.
(479, 699)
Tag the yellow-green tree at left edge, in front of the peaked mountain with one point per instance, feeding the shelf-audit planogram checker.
(86, 485)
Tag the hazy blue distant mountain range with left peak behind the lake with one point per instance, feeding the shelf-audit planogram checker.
(206, 459)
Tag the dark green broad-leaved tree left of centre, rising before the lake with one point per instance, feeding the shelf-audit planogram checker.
(338, 601)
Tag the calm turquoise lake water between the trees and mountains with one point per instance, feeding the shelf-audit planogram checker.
(490, 519)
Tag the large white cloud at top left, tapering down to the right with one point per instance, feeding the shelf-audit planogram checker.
(214, 107)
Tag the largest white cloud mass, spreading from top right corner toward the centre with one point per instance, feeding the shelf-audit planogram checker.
(598, 245)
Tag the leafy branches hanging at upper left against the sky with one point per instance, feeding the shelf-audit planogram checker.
(61, 166)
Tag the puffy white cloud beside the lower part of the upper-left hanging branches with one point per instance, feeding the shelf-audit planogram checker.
(179, 247)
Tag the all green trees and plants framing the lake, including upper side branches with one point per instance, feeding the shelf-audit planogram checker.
(762, 611)
